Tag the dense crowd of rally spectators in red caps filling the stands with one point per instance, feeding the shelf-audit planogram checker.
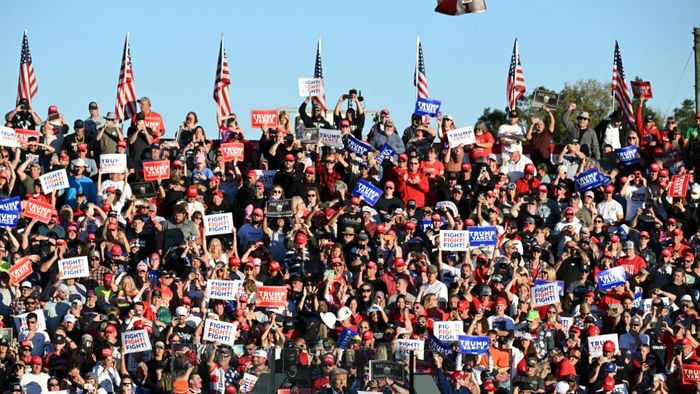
(360, 278)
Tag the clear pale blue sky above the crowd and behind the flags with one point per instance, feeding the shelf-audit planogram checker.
(367, 44)
